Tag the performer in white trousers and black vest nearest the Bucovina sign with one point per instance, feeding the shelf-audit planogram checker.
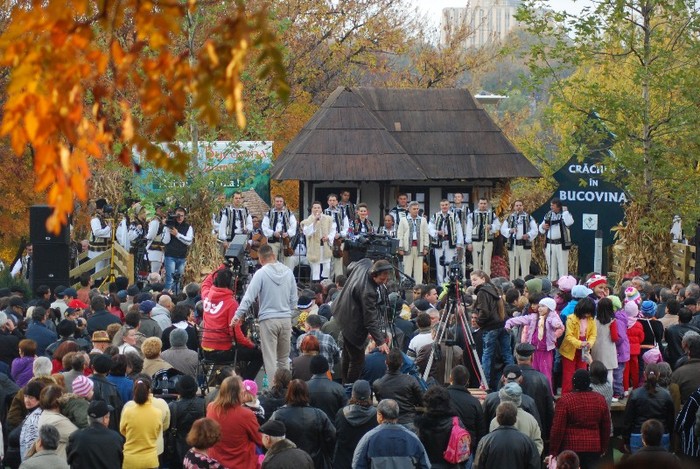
(555, 227)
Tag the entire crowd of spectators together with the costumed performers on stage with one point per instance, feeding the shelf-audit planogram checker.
(354, 370)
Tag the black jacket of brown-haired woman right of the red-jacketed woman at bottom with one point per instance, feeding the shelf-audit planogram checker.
(311, 430)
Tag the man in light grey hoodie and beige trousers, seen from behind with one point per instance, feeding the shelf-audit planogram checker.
(275, 288)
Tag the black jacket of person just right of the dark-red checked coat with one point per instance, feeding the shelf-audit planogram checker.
(642, 406)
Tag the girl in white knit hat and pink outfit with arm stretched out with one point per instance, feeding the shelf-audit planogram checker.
(543, 329)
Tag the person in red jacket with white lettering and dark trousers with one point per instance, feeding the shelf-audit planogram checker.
(222, 342)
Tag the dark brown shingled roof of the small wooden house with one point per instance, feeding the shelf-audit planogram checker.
(377, 134)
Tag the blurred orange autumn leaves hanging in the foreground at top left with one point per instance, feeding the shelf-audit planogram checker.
(73, 63)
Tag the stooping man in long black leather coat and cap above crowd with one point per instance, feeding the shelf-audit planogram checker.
(357, 313)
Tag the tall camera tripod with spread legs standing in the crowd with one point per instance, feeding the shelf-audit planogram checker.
(455, 307)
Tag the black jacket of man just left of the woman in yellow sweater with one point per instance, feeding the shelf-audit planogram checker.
(95, 447)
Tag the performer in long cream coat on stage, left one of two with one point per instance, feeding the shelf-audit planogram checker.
(319, 230)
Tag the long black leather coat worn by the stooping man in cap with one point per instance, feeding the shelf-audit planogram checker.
(356, 307)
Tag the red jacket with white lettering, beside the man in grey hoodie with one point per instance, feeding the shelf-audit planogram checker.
(219, 308)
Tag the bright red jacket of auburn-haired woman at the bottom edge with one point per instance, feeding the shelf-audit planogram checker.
(239, 435)
